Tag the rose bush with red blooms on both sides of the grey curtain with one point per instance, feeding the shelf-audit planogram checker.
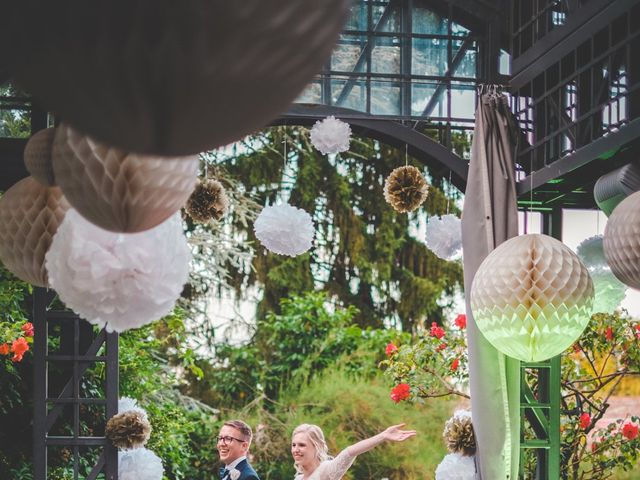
(606, 353)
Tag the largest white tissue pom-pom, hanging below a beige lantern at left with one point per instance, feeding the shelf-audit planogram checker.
(116, 280)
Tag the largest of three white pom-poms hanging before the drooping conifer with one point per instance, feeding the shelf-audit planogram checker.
(284, 229)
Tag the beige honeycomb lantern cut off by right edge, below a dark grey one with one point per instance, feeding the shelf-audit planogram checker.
(622, 241)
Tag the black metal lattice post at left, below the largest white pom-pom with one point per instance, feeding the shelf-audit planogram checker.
(61, 402)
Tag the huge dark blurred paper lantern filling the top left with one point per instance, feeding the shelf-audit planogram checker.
(196, 75)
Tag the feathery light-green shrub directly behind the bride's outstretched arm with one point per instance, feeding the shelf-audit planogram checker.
(349, 409)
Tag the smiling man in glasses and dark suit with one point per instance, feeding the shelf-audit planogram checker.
(233, 445)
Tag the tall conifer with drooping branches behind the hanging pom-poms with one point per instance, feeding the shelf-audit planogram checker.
(364, 254)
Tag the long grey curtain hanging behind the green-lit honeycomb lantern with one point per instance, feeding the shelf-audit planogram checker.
(490, 216)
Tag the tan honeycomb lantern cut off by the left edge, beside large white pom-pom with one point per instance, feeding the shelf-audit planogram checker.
(30, 214)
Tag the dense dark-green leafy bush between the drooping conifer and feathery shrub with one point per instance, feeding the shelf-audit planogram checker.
(289, 348)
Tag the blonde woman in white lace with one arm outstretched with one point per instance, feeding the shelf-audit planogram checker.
(311, 455)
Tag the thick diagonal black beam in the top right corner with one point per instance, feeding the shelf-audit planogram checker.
(580, 27)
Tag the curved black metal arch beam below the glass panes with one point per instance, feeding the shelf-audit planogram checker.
(439, 160)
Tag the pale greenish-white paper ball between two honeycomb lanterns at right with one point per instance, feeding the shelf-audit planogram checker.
(609, 291)
